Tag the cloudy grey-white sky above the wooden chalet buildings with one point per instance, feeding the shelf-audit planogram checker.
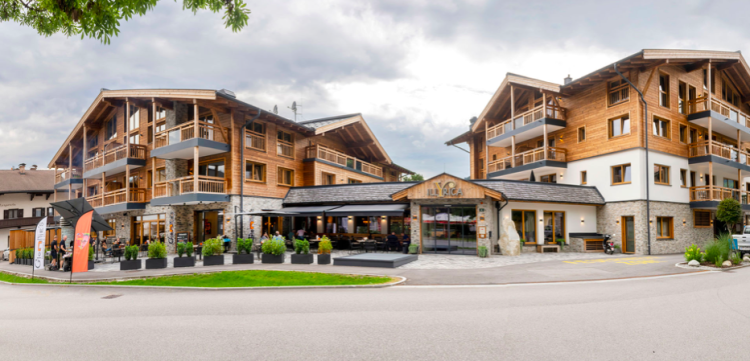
(418, 70)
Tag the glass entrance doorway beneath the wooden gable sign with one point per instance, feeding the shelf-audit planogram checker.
(449, 229)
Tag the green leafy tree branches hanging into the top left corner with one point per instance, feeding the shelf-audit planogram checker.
(100, 19)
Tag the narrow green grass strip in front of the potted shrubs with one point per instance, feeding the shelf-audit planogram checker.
(253, 279)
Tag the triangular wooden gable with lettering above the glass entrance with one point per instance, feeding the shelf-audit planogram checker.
(446, 186)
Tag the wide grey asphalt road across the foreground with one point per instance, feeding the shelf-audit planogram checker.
(688, 317)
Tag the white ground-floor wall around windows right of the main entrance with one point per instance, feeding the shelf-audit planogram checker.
(573, 216)
